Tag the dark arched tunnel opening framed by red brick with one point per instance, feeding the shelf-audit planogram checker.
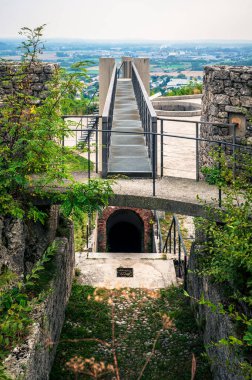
(125, 232)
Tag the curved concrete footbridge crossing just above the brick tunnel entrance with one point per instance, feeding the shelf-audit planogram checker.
(177, 195)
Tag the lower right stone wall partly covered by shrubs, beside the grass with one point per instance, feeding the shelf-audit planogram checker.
(224, 360)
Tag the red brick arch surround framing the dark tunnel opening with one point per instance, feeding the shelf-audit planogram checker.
(145, 215)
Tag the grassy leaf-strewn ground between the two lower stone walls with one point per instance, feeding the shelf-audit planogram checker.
(138, 318)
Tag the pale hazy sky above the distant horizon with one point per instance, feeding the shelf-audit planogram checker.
(130, 19)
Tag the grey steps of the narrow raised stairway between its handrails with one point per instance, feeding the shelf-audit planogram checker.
(128, 152)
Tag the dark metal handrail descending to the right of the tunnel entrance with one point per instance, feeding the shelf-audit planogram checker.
(174, 236)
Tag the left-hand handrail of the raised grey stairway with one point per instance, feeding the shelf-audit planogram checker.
(107, 119)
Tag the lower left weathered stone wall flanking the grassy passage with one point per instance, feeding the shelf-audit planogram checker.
(34, 358)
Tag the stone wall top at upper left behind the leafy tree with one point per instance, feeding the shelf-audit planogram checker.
(39, 75)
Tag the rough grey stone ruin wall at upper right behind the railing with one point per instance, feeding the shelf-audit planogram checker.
(227, 97)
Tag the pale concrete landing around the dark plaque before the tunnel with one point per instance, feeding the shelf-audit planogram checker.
(149, 270)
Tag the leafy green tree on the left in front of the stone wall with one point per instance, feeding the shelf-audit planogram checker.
(31, 129)
